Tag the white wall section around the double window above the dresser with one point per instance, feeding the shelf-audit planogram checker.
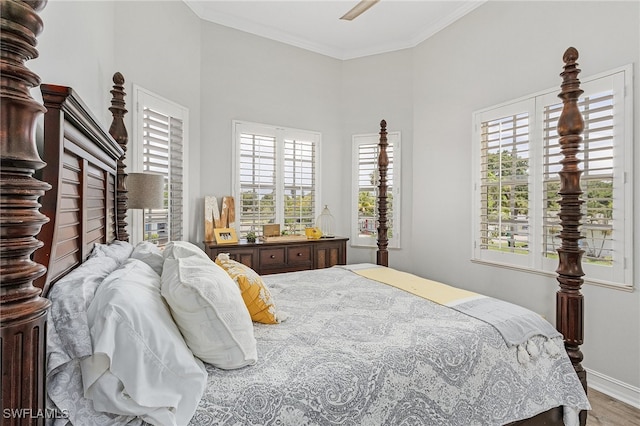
(245, 77)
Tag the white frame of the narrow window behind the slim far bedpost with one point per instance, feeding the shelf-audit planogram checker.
(395, 183)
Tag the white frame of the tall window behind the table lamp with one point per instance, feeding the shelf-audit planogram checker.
(141, 98)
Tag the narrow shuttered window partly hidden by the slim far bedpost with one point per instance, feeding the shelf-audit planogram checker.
(364, 206)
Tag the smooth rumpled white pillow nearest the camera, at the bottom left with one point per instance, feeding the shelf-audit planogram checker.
(140, 366)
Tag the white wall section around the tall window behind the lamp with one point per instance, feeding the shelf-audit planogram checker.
(158, 48)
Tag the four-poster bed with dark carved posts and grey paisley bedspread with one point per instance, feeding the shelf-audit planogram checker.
(348, 346)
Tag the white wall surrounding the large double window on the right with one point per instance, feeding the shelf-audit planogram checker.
(501, 51)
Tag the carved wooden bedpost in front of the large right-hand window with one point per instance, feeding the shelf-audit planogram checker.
(569, 300)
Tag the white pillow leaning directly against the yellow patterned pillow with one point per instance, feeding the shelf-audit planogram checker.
(209, 310)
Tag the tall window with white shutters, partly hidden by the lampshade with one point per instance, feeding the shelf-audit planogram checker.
(160, 147)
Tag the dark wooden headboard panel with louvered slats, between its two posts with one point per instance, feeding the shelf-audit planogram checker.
(81, 166)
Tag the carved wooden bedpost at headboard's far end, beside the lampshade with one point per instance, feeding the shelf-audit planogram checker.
(119, 133)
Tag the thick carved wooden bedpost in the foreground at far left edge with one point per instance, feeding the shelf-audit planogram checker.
(22, 310)
